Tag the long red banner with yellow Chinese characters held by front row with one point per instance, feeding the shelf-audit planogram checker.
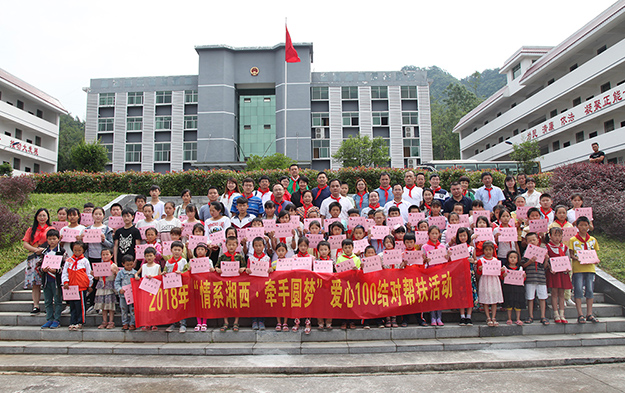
(297, 294)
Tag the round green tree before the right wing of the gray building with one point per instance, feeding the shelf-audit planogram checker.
(362, 151)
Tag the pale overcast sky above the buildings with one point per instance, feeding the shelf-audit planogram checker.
(58, 46)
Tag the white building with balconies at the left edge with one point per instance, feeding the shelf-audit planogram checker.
(29, 126)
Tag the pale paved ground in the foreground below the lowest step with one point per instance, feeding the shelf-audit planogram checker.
(597, 378)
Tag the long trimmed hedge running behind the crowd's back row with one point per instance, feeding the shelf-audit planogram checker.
(198, 181)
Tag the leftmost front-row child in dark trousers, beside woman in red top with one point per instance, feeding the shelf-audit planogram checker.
(51, 282)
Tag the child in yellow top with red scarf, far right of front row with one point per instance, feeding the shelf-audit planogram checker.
(583, 275)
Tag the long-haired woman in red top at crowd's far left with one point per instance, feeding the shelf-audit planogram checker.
(34, 241)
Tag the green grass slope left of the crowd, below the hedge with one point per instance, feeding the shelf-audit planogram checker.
(14, 254)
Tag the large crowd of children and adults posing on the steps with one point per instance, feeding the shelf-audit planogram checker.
(475, 220)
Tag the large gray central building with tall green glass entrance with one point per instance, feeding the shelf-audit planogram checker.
(248, 101)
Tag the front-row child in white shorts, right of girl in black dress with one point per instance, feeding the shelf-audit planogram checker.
(536, 282)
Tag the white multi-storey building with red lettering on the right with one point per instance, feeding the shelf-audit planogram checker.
(566, 97)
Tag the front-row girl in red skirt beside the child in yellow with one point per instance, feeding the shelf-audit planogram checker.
(557, 282)
